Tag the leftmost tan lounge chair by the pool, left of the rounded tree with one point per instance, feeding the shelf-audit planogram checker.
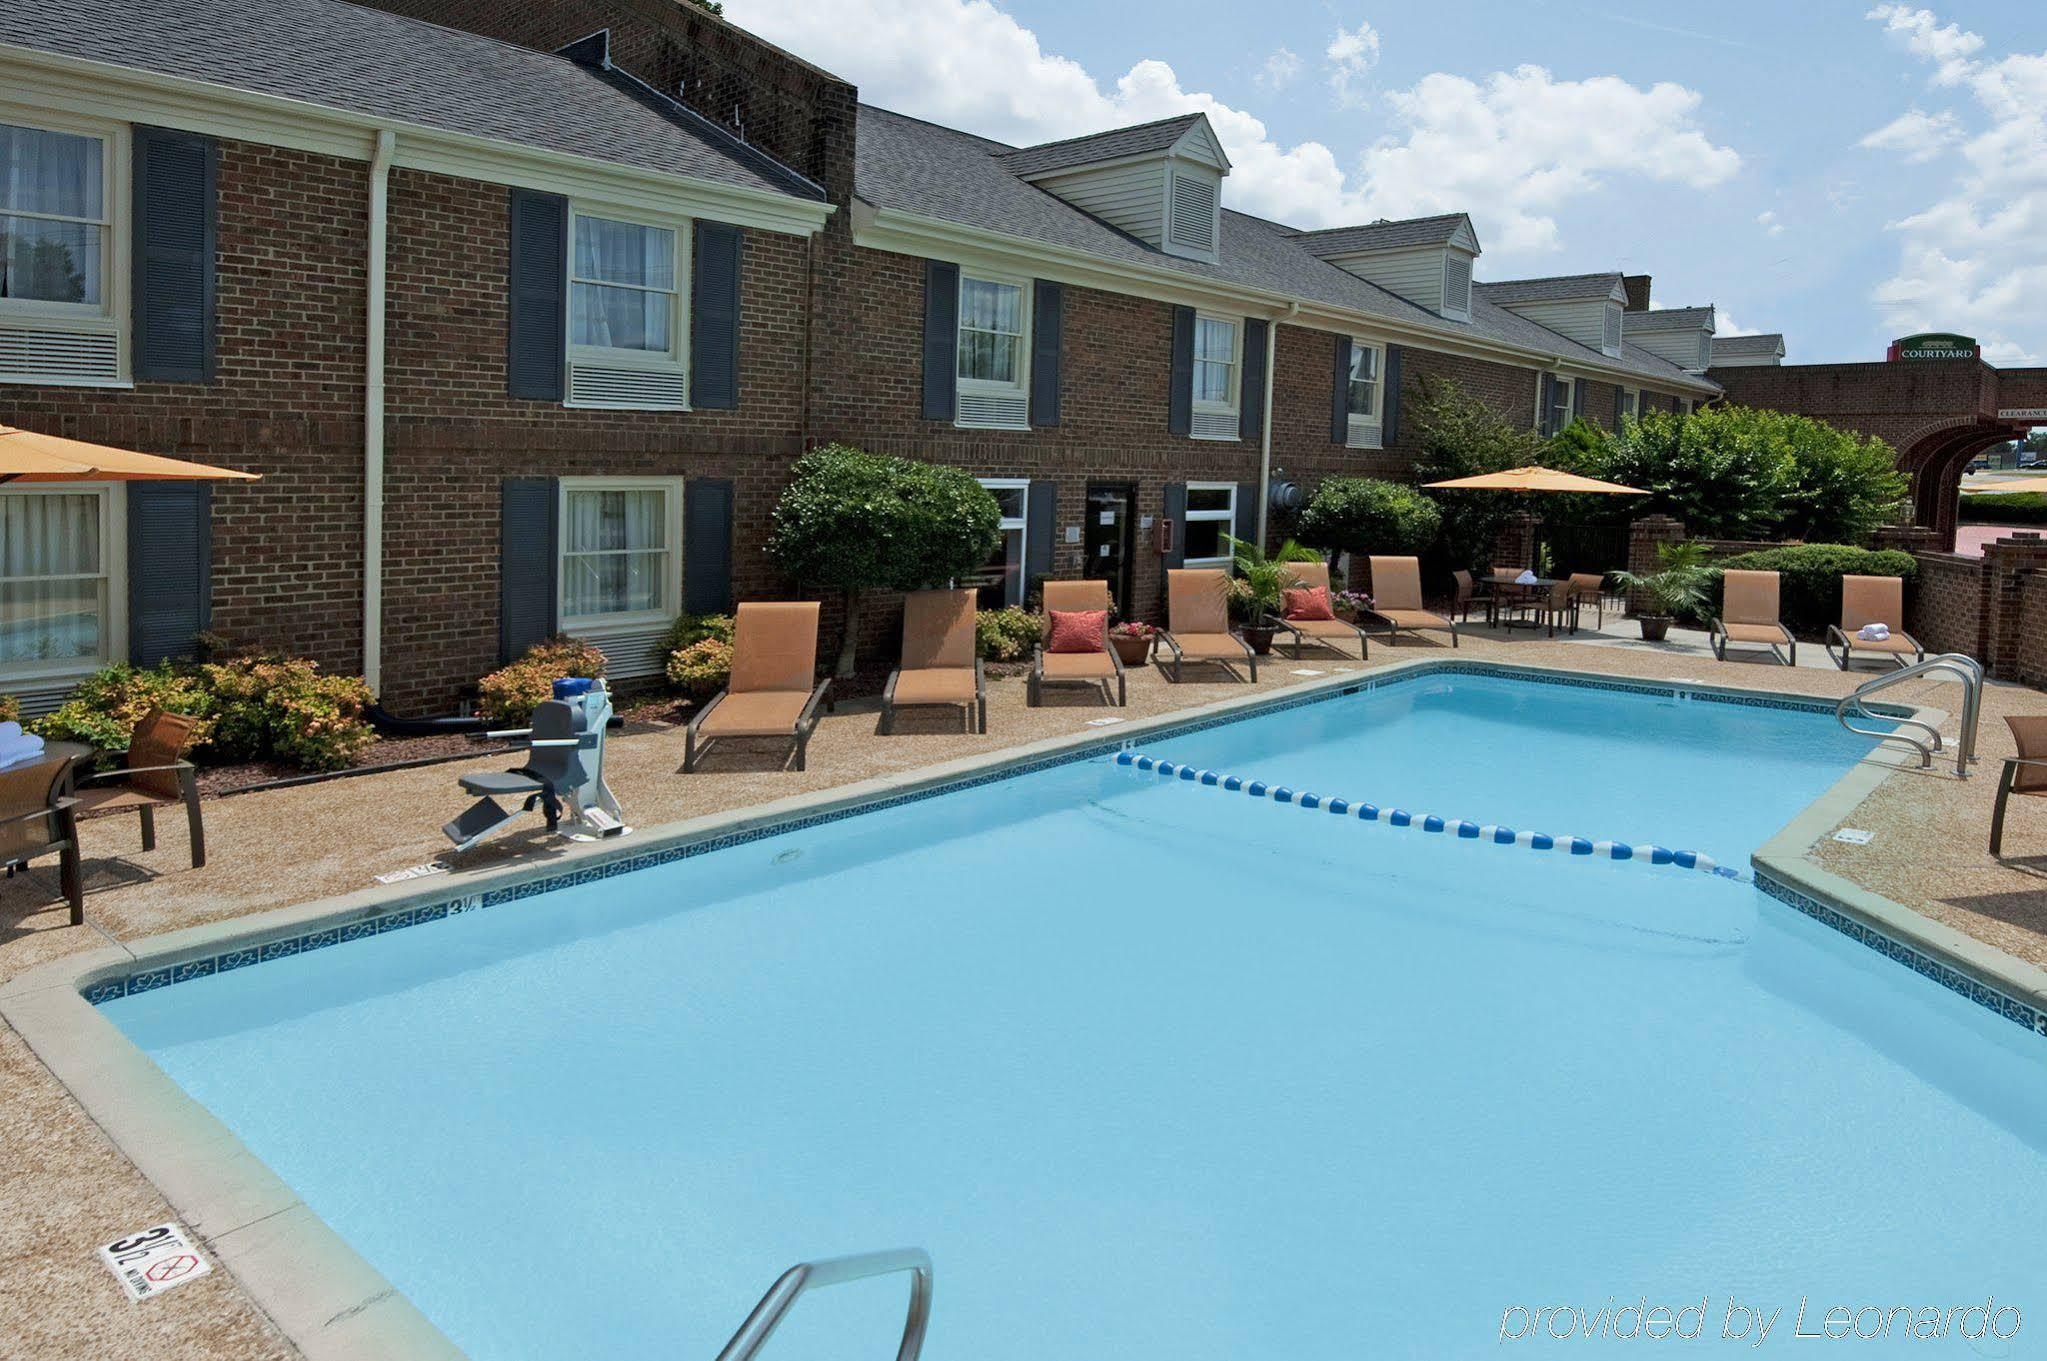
(775, 689)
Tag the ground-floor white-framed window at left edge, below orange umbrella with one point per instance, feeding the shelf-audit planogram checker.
(62, 580)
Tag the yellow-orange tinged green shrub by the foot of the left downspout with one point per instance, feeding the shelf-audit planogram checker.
(284, 709)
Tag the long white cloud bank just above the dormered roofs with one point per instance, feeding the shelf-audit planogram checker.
(1512, 150)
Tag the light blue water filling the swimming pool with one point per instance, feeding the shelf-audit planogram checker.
(1164, 1073)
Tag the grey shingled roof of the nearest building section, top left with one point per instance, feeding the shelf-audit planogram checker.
(349, 58)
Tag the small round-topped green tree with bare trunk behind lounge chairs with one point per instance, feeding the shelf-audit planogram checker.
(857, 523)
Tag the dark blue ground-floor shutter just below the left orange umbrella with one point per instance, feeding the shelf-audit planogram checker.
(171, 568)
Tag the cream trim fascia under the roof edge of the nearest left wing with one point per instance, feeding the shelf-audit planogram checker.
(107, 91)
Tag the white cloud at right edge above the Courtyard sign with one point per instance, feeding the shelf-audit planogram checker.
(1976, 259)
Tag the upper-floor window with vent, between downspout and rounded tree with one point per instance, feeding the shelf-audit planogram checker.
(629, 312)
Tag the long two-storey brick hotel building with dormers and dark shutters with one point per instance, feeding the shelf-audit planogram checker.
(523, 314)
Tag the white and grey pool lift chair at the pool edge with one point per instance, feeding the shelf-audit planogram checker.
(564, 773)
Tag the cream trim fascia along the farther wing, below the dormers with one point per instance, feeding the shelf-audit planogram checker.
(934, 238)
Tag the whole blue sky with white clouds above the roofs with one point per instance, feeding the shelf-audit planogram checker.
(1831, 169)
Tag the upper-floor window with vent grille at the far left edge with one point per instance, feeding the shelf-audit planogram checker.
(64, 240)
